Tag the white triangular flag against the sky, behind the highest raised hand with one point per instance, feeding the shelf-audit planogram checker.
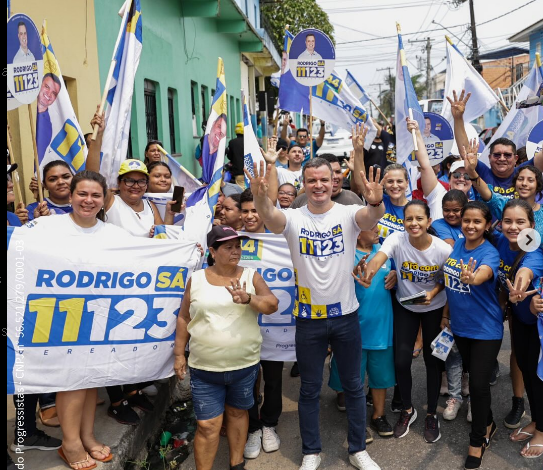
(462, 76)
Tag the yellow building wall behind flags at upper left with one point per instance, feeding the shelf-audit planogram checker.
(72, 32)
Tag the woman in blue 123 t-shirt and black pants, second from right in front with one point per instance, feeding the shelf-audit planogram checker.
(471, 274)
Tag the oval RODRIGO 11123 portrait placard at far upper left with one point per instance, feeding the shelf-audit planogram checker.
(24, 60)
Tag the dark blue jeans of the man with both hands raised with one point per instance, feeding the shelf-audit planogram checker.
(312, 340)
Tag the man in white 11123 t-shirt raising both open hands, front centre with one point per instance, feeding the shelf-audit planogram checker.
(322, 240)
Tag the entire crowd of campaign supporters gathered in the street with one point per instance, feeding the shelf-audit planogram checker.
(447, 258)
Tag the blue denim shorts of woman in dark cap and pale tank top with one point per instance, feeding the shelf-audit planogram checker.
(212, 390)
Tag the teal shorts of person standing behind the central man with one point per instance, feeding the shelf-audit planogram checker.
(378, 363)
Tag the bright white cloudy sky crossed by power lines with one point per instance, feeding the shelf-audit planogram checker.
(355, 20)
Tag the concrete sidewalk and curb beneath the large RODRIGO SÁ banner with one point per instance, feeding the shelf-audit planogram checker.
(126, 442)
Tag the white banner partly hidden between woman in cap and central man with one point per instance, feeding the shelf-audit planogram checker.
(269, 255)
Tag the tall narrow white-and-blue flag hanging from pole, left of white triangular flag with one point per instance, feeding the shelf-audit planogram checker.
(405, 101)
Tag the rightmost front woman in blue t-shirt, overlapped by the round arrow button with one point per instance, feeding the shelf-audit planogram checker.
(524, 267)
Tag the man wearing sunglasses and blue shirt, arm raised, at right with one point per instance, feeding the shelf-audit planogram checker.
(503, 152)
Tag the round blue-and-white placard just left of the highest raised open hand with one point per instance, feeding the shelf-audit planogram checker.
(438, 137)
